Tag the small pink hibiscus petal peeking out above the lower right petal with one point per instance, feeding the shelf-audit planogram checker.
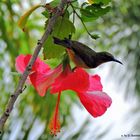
(95, 83)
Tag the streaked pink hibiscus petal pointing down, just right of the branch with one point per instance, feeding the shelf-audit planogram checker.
(42, 81)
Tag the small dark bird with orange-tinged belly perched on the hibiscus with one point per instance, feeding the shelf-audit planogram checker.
(82, 55)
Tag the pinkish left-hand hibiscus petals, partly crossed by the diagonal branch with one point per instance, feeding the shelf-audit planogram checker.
(41, 76)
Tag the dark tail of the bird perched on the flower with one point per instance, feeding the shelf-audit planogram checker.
(66, 42)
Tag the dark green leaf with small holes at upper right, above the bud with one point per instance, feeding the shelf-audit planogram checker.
(92, 12)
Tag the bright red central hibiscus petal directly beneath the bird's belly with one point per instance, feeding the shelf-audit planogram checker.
(77, 81)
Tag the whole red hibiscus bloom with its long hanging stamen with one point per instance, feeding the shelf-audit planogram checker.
(88, 87)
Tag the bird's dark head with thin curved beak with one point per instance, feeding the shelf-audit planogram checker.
(103, 57)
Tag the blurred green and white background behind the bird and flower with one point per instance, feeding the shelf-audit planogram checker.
(120, 34)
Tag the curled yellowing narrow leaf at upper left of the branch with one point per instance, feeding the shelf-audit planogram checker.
(23, 19)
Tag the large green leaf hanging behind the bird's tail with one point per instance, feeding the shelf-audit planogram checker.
(62, 29)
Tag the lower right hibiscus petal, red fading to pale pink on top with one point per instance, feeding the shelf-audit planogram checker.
(96, 103)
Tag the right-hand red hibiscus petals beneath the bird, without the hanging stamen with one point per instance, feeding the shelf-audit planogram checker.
(88, 88)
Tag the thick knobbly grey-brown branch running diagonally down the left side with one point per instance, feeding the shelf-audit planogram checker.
(20, 86)
